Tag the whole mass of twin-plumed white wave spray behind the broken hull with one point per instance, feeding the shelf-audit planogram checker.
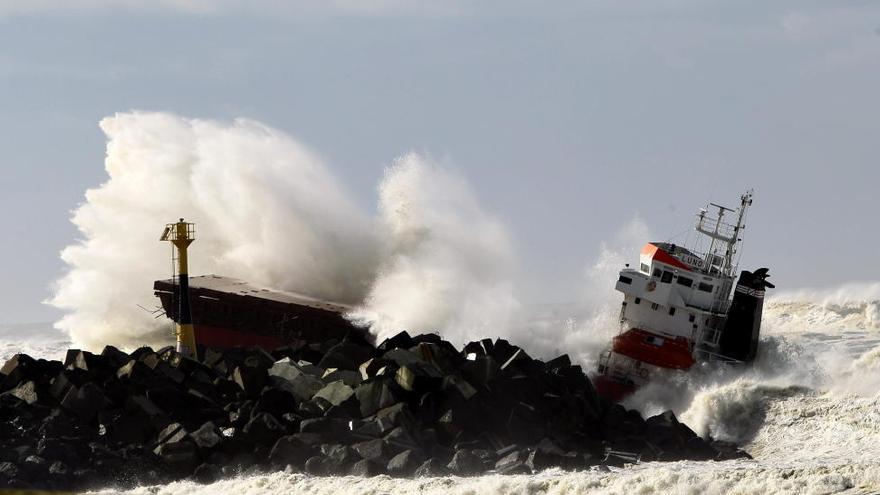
(268, 211)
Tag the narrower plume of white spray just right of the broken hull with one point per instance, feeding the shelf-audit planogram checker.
(447, 265)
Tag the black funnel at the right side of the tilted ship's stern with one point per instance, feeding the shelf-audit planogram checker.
(739, 339)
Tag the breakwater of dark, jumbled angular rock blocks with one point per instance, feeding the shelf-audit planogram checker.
(411, 406)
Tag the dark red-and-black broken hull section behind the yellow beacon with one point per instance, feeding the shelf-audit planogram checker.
(229, 313)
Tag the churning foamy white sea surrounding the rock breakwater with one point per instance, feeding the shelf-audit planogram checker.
(808, 411)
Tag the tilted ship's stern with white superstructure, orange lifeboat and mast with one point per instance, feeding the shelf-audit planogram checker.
(681, 307)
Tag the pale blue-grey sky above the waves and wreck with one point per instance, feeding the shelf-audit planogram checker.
(568, 119)
